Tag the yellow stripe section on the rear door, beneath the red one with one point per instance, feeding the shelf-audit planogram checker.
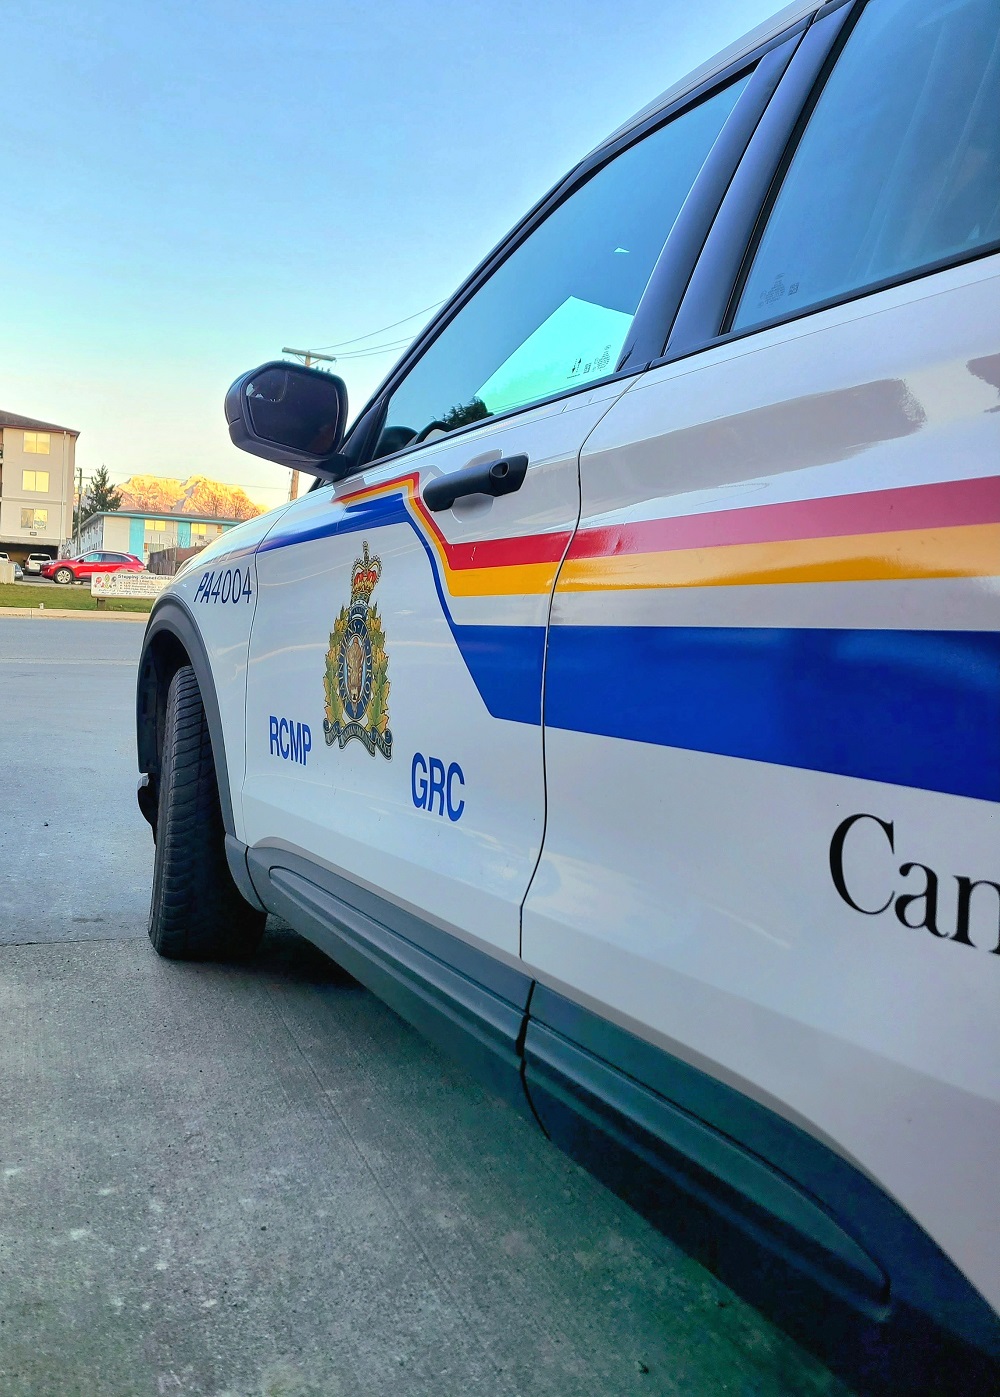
(966, 551)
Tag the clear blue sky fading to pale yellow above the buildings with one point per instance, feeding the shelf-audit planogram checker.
(188, 188)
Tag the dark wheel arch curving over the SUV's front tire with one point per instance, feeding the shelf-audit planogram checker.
(172, 641)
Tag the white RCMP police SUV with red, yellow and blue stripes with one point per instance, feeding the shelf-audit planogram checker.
(622, 705)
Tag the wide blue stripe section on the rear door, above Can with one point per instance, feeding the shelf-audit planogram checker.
(911, 708)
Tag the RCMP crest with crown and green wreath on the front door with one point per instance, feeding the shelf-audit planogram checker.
(357, 678)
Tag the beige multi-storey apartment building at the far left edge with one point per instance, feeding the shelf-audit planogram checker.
(37, 473)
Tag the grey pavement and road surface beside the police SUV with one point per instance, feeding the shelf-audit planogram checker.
(258, 1181)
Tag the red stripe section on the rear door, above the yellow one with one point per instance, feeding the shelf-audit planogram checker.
(878, 512)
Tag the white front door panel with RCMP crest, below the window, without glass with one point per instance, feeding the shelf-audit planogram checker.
(396, 675)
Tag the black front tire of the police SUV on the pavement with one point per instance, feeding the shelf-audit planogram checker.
(196, 910)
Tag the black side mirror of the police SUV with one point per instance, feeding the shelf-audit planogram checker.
(293, 416)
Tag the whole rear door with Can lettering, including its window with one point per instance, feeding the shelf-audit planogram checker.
(773, 695)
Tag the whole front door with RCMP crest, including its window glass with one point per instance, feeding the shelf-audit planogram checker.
(395, 691)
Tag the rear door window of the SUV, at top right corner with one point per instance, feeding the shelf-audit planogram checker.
(899, 166)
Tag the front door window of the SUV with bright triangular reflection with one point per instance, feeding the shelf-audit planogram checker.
(557, 312)
